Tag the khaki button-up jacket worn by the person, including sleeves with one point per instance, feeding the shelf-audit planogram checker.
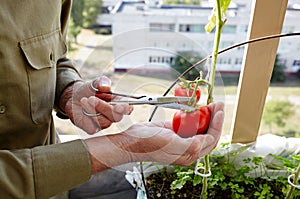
(42, 171)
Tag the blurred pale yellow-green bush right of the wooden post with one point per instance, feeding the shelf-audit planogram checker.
(277, 112)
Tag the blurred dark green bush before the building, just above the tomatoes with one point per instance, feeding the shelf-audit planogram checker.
(184, 60)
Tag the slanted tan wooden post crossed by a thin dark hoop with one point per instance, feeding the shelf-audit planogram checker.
(267, 17)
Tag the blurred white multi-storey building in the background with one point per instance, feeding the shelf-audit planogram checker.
(148, 35)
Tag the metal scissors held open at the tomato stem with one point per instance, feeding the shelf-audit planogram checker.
(172, 102)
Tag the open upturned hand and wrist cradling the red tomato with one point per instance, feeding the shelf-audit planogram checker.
(156, 142)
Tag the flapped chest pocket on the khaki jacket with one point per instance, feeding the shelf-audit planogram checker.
(42, 53)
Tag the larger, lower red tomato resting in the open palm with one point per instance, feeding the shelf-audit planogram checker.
(188, 124)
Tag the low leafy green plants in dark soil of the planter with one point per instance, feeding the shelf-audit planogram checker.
(227, 180)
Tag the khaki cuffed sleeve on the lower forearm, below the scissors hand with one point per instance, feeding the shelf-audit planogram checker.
(43, 171)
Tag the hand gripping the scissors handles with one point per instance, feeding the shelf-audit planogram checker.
(80, 97)
